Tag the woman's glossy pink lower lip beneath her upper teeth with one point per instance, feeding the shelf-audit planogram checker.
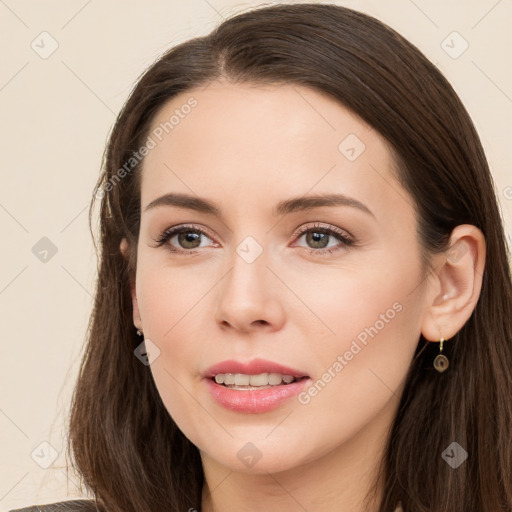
(254, 400)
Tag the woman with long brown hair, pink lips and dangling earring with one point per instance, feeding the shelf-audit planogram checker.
(304, 300)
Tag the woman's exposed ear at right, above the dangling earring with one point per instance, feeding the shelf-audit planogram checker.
(455, 284)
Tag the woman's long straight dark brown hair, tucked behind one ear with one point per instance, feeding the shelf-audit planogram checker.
(128, 450)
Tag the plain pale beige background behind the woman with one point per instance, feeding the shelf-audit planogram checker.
(56, 113)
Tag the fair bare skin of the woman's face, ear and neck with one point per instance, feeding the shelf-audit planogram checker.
(247, 147)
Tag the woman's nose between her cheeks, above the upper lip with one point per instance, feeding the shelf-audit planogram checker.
(250, 296)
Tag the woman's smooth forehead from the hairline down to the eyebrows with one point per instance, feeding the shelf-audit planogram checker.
(246, 139)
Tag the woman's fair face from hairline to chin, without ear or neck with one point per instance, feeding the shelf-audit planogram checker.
(333, 290)
